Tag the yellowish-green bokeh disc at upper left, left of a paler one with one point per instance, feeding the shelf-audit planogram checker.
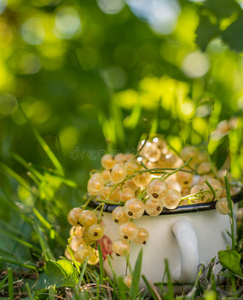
(33, 31)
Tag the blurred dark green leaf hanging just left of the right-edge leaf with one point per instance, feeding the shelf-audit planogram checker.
(206, 31)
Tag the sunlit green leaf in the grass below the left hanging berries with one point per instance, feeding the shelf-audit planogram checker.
(60, 273)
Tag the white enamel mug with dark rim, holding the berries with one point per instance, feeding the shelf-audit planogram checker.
(186, 236)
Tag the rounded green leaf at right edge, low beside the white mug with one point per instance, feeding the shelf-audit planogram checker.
(230, 259)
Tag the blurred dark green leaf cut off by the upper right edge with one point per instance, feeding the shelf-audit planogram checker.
(232, 35)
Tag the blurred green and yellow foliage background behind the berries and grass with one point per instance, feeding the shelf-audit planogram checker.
(86, 74)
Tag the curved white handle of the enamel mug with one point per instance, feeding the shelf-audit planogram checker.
(188, 245)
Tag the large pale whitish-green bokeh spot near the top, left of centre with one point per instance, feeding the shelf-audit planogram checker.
(67, 23)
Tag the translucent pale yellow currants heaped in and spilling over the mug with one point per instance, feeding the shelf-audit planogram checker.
(153, 178)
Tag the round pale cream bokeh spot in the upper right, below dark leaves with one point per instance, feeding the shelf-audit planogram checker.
(196, 64)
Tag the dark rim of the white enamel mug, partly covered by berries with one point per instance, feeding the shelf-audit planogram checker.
(180, 209)
